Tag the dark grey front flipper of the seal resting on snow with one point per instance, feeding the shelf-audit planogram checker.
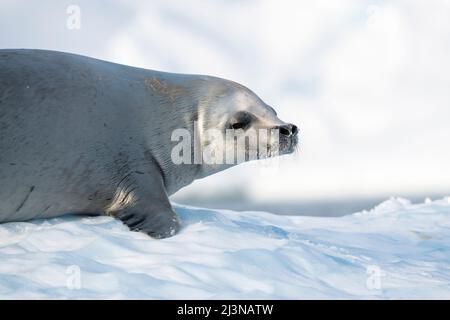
(142, 204)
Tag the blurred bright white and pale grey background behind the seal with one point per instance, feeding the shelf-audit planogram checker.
(366, 82)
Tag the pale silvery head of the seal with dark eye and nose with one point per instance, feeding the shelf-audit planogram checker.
(233, 118)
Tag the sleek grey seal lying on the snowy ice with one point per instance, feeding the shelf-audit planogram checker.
(85, 136)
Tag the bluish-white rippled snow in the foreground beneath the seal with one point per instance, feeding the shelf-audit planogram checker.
(396, 250)
